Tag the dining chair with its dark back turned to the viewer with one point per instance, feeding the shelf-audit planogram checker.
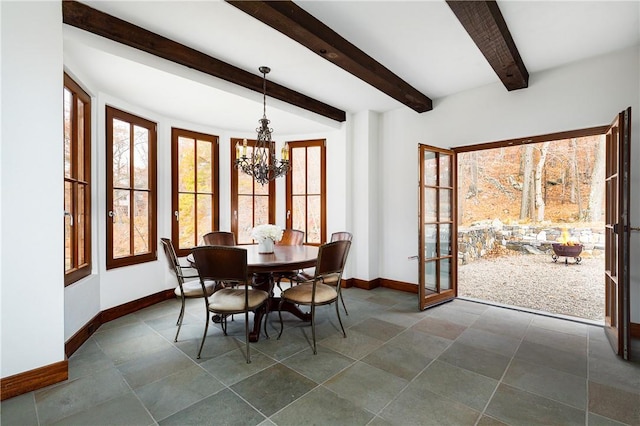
(219, 263)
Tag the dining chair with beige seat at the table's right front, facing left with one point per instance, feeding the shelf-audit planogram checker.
(315, 292)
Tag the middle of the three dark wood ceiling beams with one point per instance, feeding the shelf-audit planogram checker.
(299, 25)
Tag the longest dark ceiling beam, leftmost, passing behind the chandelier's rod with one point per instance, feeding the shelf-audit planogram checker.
(96, 22)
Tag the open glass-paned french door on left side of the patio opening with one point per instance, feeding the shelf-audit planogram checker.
(437, 230)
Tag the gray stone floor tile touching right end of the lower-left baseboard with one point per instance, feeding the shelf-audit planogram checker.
(74, 396)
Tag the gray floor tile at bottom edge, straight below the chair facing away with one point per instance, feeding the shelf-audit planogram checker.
(222, 405)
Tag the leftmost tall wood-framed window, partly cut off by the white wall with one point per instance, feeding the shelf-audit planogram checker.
(77, 182)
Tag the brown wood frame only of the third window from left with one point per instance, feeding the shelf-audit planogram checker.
(176, 134)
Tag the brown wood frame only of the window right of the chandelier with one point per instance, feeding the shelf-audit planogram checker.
(294, 145)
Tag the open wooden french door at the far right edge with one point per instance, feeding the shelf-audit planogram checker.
(617, 230)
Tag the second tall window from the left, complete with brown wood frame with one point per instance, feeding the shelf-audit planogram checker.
(131, 189)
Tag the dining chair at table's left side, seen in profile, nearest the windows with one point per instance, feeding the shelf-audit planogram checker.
(184, 289)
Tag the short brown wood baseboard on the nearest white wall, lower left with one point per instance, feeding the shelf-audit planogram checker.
(34, 379)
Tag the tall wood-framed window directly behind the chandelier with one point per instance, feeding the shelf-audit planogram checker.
(251, 203)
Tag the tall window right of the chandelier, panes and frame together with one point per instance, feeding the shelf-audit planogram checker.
(306, 189)
